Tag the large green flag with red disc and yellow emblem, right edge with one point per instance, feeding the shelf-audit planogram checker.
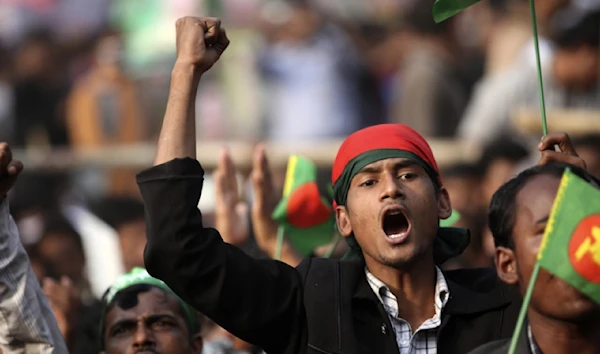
(570, 248)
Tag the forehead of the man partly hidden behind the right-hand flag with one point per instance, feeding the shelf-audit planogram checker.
(534, 201)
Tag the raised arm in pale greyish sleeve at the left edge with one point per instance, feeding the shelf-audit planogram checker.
(27, 324)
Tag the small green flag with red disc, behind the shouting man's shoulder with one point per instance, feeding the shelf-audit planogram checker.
(306, 216)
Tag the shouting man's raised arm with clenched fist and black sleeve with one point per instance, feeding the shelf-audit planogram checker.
(259, 301)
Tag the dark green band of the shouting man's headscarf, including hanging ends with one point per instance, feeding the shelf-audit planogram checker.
(450, 241)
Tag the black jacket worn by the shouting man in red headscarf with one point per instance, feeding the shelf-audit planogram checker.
(323, 306)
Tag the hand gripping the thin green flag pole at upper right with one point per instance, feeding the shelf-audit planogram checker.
(566, 153)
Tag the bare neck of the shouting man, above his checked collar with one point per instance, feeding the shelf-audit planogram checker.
(413, 286)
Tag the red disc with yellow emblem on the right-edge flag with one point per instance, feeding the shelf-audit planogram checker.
(584, 248)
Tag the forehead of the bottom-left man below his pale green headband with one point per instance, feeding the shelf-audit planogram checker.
(155, 301)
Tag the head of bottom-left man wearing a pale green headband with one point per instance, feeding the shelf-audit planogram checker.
(142, 314)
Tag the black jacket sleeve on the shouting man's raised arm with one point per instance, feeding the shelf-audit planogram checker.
(259, 301)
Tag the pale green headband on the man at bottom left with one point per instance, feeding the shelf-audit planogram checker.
(140, 276)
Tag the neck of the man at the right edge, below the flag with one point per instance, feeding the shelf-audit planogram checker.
(555, 336)
